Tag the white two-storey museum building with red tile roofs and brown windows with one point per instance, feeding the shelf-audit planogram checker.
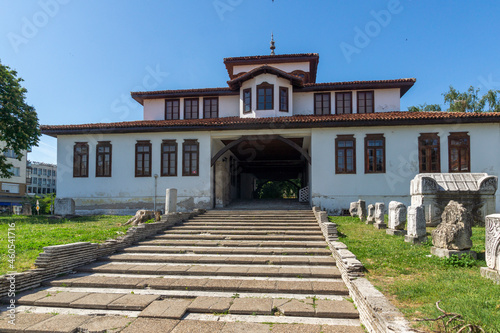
(273, 121)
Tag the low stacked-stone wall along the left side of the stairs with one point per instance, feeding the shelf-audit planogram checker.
(61, 259)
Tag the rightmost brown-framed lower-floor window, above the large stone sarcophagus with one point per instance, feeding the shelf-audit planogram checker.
(459, 152)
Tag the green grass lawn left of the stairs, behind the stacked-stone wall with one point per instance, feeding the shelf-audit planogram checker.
(32, 233)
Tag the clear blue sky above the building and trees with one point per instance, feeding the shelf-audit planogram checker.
(80, 59)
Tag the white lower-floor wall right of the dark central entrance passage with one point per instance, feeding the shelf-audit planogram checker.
(335, 191)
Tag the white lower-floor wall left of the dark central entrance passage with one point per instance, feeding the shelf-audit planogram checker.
(124, 193)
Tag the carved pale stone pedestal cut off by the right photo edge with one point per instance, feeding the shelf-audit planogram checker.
(492, 247)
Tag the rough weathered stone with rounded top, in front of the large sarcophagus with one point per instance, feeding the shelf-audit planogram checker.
(453, 235)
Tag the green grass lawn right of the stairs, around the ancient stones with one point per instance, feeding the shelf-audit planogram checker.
(414, 281)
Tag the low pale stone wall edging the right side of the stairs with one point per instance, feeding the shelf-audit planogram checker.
(376, 313)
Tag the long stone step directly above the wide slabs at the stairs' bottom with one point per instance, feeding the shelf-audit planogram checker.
(205, 284)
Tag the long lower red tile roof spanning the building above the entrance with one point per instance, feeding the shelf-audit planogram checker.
(396, 118)
